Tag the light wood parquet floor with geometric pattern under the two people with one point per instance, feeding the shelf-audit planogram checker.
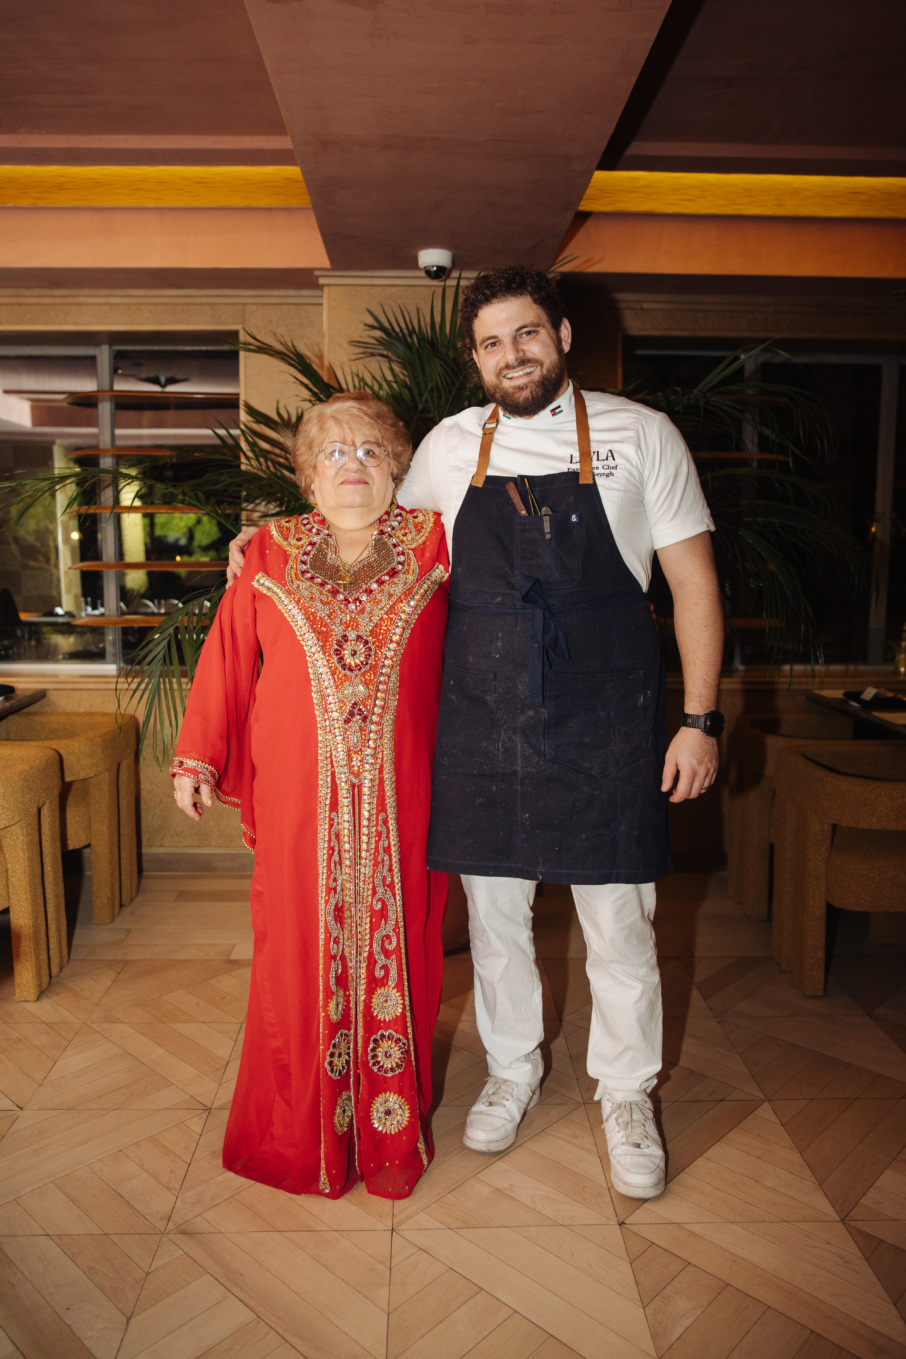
(782, 1235)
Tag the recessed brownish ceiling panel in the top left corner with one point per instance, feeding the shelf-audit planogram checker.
(109, 84)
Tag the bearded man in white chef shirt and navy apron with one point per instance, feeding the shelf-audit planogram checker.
(552, 758)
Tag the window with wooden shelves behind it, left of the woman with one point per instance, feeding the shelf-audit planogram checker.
(58, 402)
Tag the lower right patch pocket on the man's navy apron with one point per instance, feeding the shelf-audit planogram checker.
(598, 724)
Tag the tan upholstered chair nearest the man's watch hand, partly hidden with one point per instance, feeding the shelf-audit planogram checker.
(755, 748)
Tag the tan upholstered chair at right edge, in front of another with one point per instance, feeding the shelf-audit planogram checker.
(841, 839)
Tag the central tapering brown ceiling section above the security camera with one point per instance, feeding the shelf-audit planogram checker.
(473, 127)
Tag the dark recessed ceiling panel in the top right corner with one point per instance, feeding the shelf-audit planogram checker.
(803, 88)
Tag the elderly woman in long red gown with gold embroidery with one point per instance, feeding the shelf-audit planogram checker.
(314, 710)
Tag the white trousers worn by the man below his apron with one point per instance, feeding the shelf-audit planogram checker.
(627, 1023)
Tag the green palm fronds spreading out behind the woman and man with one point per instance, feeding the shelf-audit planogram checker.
(750, 441)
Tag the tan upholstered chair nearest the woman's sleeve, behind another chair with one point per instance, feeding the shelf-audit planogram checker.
(98, 805)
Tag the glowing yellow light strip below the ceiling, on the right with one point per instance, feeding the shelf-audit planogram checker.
(745, 195)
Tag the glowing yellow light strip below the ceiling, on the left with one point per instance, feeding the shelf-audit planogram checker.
(153, 187)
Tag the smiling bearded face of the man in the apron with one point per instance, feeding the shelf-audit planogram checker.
(521, 357)
